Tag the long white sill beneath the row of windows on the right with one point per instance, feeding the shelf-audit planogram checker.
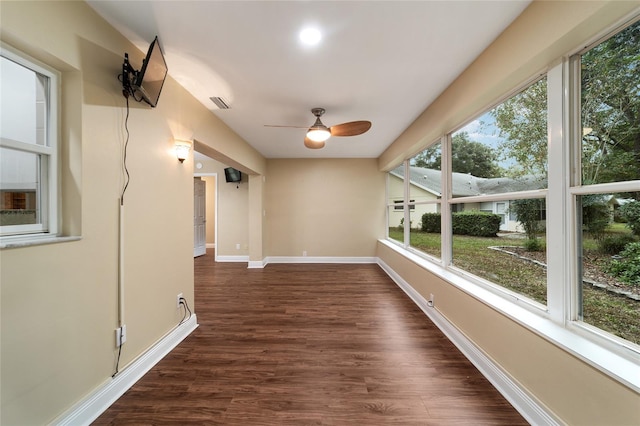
(621, 363)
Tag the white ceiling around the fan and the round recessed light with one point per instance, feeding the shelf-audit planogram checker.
(382, 61)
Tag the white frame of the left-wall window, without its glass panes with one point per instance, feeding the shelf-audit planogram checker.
(48, 170)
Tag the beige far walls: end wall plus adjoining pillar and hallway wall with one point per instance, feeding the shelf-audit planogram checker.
(309, 205)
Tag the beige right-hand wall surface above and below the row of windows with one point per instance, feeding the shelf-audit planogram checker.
(570, 388)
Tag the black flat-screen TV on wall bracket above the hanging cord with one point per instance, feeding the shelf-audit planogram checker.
(146, 84)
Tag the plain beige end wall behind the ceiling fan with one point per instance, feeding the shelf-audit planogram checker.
(324, 207)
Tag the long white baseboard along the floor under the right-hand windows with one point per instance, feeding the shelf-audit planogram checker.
(517, 396)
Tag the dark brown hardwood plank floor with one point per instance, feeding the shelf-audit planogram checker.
(305, 345)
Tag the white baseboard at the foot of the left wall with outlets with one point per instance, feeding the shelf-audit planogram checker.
(89, 408)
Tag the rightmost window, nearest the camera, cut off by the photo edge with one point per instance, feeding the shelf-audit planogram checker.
(607, 189)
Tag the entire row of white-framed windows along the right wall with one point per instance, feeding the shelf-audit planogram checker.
(553, 173)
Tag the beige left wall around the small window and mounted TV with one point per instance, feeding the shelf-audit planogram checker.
(59, 306)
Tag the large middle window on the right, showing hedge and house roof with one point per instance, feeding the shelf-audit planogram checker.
(498, 162)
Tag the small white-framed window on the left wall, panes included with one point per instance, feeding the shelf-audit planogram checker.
(28, 146)
